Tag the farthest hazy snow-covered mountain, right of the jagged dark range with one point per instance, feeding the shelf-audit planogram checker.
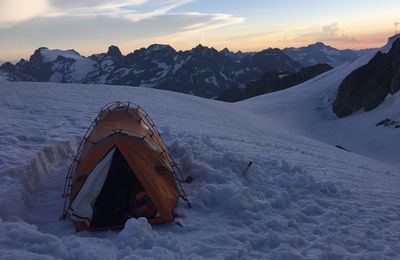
(321, 53)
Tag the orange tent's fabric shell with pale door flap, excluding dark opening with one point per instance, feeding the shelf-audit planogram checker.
(131, 132)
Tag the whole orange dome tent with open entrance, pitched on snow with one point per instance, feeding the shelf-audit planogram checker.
(121, 155)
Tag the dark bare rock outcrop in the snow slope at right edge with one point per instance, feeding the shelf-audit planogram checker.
(367, 87)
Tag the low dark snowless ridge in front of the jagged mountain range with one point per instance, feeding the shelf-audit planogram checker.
(273, 81)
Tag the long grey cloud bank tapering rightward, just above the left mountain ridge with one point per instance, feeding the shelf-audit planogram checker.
(94, 34)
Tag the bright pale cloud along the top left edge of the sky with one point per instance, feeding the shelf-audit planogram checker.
(14, 11)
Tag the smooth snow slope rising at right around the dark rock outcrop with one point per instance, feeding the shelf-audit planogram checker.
(306, 109)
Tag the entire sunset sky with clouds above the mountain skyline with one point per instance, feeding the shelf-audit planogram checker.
(90, 26)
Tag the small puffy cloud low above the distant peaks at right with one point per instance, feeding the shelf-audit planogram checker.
(329, 33)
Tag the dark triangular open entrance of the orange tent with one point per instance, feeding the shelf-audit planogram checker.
(115, 198)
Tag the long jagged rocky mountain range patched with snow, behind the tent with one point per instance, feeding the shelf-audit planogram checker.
(201, 71)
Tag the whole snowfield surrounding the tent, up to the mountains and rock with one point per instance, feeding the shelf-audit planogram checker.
(302, 198)
